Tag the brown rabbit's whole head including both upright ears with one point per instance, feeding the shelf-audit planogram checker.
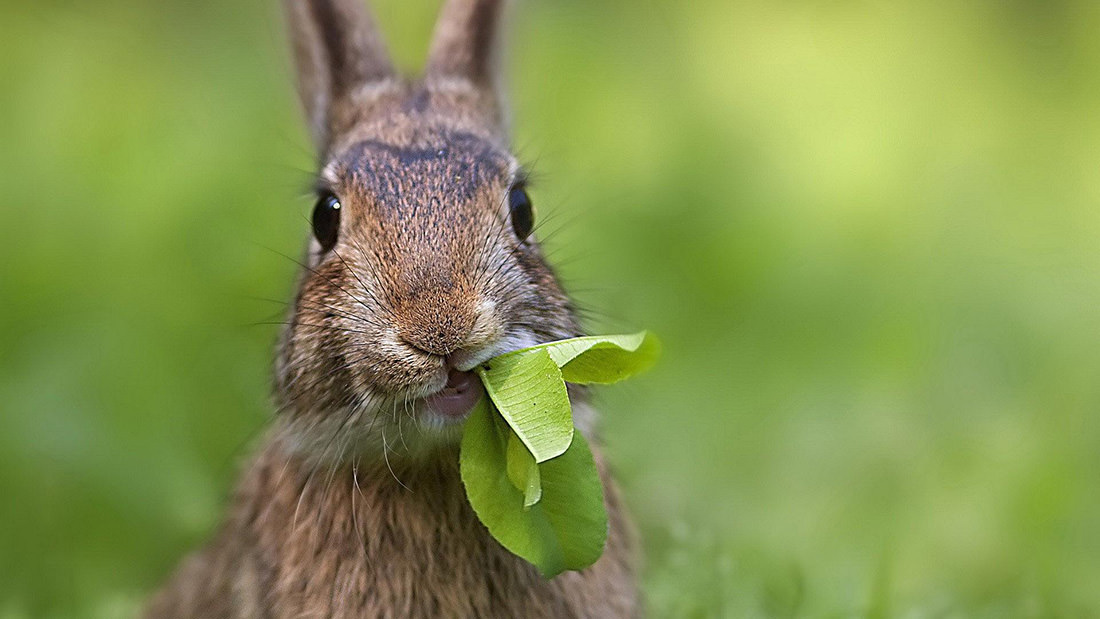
(423, 262)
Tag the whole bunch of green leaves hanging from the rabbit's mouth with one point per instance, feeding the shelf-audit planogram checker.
(532, 479)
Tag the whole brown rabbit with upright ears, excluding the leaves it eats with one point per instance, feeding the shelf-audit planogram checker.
(422, 267)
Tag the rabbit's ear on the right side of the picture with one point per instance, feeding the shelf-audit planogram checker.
(465, 45)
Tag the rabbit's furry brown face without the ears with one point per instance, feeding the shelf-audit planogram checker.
(417, 273)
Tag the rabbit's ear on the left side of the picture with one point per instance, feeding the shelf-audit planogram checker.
(338, 51)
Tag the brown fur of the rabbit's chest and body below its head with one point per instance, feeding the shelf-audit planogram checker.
(353, 543)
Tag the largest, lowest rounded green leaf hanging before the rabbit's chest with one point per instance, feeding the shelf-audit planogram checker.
(566, 530)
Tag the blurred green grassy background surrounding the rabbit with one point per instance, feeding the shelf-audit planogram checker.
(867, 233)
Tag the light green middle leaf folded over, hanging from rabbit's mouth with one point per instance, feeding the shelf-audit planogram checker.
(531, 394)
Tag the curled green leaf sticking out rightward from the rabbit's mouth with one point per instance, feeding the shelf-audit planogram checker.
(600, 359)
